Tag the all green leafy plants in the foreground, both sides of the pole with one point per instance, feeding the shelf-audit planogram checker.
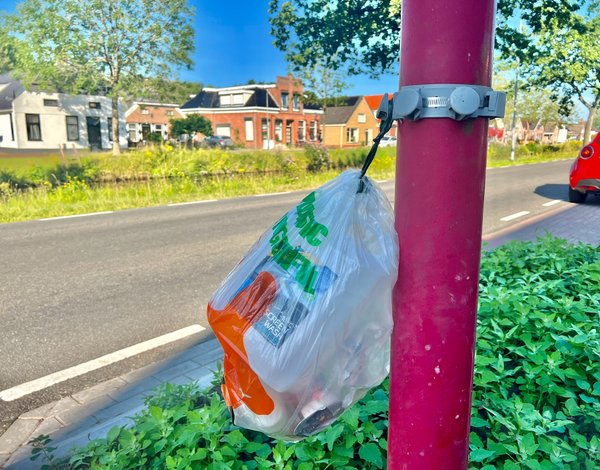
(536, 397)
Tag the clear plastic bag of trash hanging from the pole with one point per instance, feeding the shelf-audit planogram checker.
(305, 318)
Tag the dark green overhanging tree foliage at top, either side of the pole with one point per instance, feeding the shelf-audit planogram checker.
(364, 35)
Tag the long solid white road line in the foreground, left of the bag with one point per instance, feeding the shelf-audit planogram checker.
(36, 385)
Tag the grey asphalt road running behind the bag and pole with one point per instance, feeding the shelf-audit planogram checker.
(75, 289)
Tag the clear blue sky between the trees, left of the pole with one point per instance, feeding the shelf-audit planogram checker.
(233, 45)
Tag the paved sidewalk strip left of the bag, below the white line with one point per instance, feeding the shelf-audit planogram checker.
(89, 414)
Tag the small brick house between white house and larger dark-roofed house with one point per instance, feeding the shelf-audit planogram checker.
(145, 118)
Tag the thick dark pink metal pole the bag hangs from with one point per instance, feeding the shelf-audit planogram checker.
(440, 178)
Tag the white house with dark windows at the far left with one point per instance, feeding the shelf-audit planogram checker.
(33, 120)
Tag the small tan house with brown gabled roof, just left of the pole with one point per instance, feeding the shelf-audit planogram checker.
(350, 125)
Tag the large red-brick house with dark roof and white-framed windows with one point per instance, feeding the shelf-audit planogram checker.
(259, 115)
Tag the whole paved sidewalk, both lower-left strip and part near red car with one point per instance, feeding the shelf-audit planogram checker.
(89, 414)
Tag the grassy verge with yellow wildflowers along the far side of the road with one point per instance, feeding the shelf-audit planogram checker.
(100, 182)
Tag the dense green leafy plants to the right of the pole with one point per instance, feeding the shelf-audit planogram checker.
(537, 381)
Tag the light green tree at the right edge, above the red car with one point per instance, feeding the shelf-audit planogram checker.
(567, 60)
